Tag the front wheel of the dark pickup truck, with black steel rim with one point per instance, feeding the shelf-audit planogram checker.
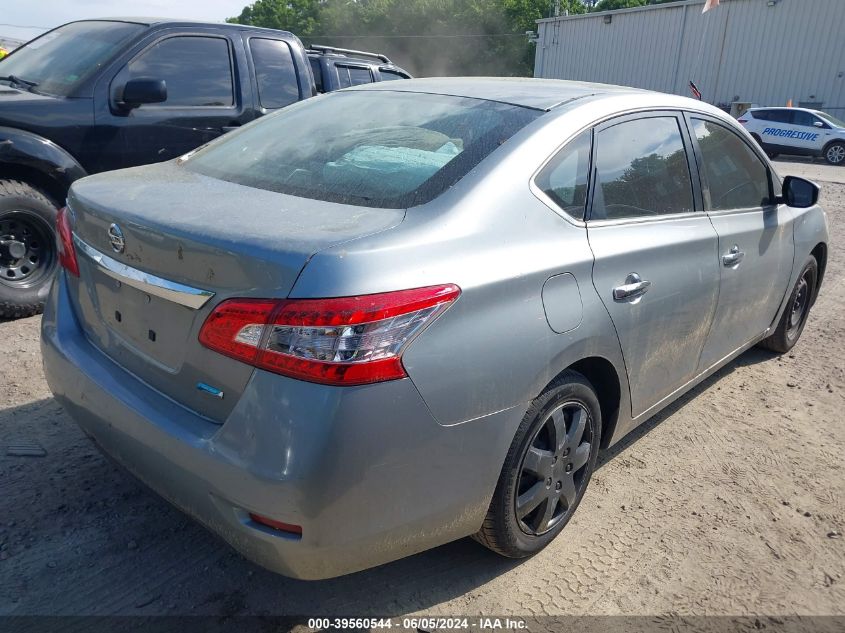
(28, 254)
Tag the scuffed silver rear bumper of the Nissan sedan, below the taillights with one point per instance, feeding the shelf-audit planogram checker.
(366, 471)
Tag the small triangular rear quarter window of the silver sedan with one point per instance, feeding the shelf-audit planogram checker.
(566, 176)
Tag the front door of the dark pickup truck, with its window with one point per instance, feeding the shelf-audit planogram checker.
(203, 98)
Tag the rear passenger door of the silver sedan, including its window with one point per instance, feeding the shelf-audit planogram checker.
(655, 251)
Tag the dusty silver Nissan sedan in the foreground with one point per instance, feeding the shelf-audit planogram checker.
(398, 315)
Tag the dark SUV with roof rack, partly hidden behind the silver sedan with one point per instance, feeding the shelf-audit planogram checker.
(335, 68)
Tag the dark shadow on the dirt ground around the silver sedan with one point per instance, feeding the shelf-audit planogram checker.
(117, 548)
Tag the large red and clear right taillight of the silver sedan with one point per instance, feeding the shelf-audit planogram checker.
(343, 341)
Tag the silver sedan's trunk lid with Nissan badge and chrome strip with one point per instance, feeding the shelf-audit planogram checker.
(188, 242)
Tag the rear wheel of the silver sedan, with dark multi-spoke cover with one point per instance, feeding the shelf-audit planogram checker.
(553, 467)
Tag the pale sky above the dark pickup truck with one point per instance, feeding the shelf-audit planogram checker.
(50, 13)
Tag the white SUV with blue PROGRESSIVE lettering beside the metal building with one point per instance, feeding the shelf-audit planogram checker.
(797, 131)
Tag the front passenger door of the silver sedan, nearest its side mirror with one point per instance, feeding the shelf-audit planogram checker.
(755, 236)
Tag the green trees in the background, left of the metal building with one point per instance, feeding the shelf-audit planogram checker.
(428, 37)
